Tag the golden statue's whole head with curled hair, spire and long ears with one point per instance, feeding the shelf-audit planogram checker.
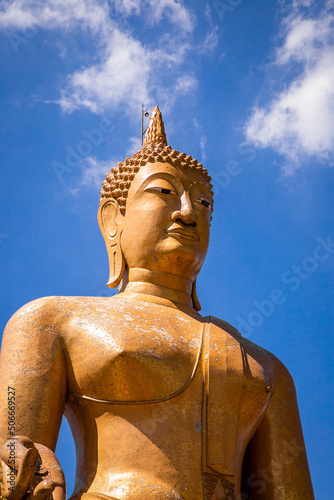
(155, 211)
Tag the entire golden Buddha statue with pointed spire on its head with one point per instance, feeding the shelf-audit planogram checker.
(162, 402)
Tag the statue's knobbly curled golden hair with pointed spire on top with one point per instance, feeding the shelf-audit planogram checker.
(155, 149)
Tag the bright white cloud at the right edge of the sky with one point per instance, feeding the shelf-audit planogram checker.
(298, 122)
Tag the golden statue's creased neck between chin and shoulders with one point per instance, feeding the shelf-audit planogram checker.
(159, 284)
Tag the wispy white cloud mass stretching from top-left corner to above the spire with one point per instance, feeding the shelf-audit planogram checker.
(125, 70)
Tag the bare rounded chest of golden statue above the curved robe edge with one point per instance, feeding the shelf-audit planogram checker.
(134, 356)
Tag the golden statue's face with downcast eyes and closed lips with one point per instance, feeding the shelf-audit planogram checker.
(167, 221)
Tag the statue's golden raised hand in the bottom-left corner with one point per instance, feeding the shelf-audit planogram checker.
(31, 471)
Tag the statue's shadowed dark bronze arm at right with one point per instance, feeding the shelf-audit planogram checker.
(275, 465)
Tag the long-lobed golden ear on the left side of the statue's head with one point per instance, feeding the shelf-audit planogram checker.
(110, 218)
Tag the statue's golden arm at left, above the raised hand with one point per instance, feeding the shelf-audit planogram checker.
(32, 378)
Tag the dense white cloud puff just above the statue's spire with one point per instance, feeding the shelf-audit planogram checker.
(125, 76)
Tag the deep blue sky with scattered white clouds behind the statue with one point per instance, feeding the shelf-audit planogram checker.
(245, 87)
